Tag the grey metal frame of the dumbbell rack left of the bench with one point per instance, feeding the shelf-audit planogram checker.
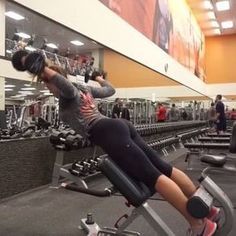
(61, 172)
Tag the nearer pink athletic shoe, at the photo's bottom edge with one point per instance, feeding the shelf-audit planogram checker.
(208, 229)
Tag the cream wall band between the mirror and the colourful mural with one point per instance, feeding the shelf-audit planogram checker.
(96, 21)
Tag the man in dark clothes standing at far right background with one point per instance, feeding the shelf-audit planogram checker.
(220, 115)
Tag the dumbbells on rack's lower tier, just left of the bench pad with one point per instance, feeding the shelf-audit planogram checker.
(85, 167)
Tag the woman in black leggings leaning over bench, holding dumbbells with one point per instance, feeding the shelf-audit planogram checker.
(117, 137)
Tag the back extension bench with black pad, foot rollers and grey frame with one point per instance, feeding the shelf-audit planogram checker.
(137, 194)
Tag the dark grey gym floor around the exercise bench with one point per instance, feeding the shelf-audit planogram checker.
(48, 212)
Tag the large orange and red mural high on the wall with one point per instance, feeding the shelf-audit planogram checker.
(168, 23)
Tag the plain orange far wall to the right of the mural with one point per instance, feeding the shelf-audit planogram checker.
(220, 59)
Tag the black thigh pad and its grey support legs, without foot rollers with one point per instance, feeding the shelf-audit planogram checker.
(137, 194)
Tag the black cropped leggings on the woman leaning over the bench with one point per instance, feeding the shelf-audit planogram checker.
(119, 139)
